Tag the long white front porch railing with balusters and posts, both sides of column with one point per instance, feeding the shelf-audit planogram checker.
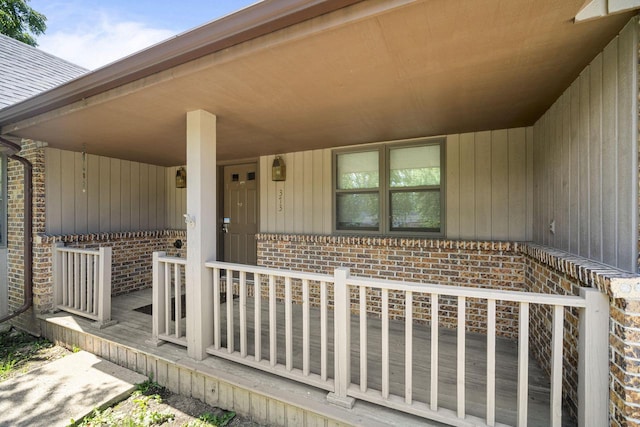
(273, 290)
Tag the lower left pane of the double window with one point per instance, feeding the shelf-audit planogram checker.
(358, 211)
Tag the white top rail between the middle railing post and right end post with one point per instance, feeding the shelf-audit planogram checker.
(466, 291)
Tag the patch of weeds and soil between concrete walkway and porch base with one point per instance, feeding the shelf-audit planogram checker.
(146, 407)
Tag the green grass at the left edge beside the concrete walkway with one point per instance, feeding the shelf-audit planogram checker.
(17, 349)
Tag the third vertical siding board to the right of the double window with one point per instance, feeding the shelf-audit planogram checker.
(483, 185)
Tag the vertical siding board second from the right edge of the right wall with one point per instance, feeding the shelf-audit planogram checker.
(609, 153)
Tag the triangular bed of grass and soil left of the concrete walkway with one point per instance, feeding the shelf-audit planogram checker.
(20, 352)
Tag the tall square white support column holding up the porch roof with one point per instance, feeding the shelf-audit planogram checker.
(201, 229)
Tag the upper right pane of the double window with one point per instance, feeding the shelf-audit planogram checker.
(414, 166)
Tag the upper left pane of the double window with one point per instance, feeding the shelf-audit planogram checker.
(358, 171)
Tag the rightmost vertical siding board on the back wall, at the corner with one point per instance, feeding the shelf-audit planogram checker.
(517, 191)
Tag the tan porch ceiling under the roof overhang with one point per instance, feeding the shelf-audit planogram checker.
(360, 74)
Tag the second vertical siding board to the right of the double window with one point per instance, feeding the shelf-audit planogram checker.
(467, 186)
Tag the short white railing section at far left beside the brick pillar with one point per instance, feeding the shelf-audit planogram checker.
(82, 282)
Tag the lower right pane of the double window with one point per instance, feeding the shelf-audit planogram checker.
(415, 210)
